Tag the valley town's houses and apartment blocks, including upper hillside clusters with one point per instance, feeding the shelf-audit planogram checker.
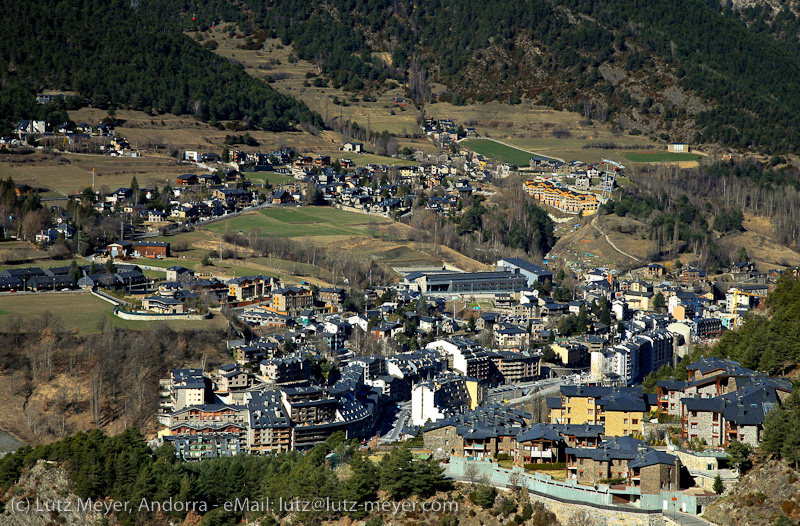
(417, 344)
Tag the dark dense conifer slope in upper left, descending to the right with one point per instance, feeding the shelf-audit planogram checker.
(126, 55)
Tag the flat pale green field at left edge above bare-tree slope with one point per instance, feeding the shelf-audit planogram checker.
(83, 312)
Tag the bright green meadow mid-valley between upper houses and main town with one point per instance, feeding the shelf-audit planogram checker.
(299, 222)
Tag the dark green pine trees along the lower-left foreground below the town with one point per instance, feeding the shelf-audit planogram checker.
(125, 469)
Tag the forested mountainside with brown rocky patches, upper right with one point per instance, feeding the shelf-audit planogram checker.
(677, 69)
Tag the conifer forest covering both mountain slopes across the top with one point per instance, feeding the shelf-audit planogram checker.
(608, 60)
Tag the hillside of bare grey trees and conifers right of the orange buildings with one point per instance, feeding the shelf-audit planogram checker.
(688, 210)
